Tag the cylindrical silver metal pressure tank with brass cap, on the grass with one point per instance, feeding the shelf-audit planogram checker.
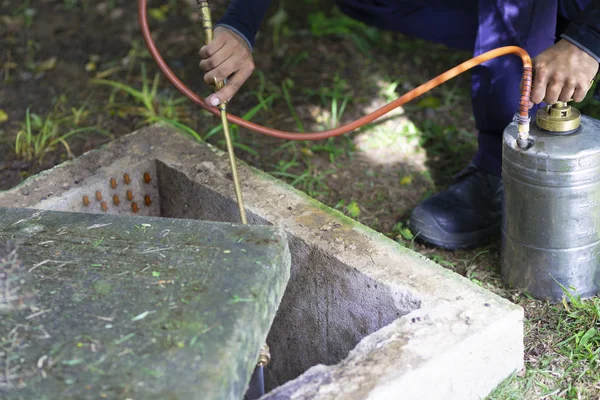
(551, 218)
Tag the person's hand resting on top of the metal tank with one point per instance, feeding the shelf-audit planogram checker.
(561, 73)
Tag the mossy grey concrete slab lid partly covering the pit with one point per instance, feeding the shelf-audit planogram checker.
(135, 307)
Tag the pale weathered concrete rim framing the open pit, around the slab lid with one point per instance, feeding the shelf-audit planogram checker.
(460, 336)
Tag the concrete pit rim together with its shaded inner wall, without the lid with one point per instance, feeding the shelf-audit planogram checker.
(441, 337)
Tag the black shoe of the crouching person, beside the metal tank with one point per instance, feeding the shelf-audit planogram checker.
(468, 214)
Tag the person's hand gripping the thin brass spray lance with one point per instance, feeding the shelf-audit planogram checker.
(226, 57)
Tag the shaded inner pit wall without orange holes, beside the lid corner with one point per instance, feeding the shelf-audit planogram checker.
(328, 306)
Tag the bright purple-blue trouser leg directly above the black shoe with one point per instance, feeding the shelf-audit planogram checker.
(529, 24)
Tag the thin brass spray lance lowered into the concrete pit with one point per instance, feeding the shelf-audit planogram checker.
(264, 356)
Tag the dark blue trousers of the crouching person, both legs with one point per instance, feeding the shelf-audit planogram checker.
(480, 26)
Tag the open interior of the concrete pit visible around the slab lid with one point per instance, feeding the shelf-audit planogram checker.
(328, 306)
